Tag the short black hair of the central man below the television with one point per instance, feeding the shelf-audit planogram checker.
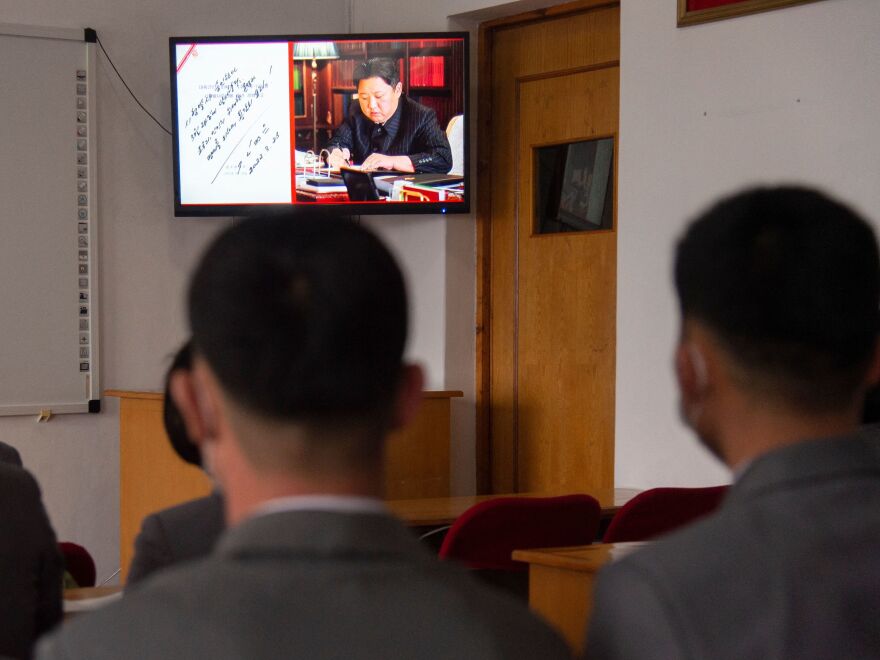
(302, 318)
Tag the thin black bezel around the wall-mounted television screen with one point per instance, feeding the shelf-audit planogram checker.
(337, 208)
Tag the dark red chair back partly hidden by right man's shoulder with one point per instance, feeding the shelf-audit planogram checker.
(660, 510)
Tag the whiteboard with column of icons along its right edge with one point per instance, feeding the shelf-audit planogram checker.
(49, 360)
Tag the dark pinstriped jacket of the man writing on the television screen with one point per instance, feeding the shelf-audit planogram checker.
(412, 131)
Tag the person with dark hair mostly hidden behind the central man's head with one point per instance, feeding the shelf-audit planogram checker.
(186, 531)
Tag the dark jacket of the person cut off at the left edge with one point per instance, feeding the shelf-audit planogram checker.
(30, 564)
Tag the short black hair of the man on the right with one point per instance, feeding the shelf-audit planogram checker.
(788, 280)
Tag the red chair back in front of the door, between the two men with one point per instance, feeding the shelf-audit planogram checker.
(485, 535)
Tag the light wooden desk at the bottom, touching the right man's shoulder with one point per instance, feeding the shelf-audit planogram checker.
(561, 584)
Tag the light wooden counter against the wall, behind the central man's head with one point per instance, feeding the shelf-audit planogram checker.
(152, 477)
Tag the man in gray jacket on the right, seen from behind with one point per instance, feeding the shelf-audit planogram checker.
(778, 292)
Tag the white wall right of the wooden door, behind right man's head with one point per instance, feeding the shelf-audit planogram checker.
(787, 95)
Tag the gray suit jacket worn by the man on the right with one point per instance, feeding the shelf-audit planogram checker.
(789, 567)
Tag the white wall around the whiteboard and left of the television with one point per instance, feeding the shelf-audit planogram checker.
(146, 254)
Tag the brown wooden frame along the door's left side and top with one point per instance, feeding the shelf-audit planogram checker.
(485, 45)
